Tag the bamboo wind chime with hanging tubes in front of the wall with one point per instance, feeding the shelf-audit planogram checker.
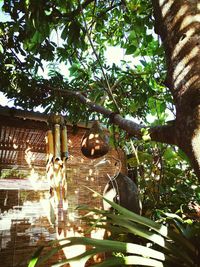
(57, 150)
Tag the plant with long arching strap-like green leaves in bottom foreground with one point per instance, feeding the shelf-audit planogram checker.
(160, 245)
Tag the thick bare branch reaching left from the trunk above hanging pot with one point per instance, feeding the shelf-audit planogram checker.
(164, 134)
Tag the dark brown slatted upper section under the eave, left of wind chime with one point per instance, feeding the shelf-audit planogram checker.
(22, 134)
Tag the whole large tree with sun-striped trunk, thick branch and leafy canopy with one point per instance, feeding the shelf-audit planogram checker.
(30, 40)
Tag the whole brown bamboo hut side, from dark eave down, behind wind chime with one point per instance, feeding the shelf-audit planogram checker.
(27, 202)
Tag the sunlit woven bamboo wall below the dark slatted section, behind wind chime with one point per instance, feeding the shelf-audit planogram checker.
(26, 215)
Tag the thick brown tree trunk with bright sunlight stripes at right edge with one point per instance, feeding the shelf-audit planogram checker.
(178, 24)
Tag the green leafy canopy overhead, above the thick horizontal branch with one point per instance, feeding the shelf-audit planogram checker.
(41, 35)
